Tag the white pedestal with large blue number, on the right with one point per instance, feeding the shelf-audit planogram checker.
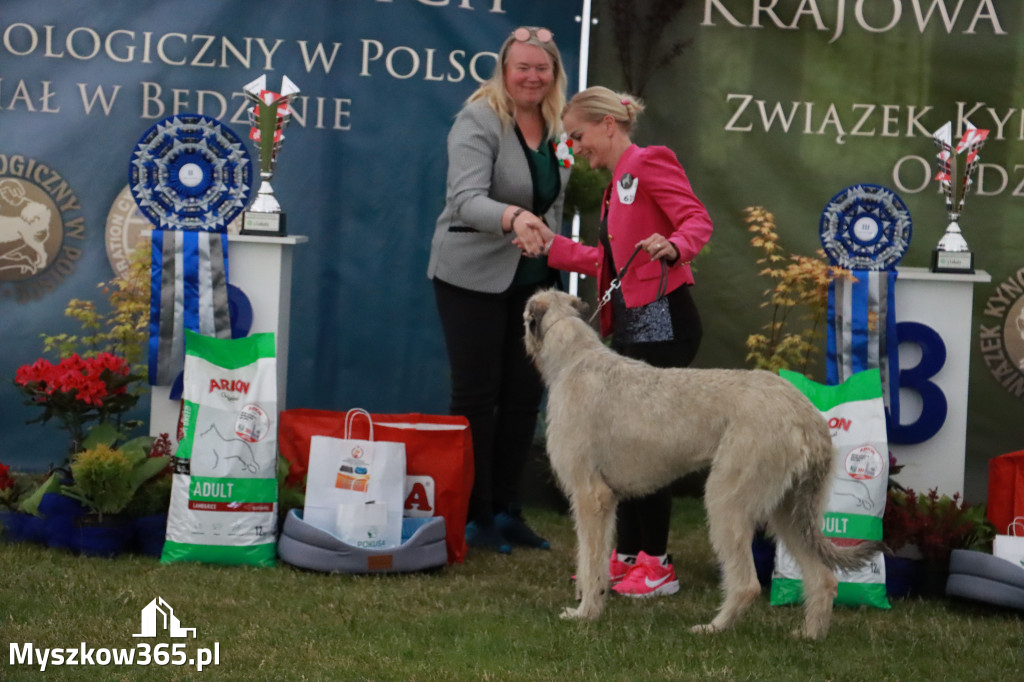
(944, 304)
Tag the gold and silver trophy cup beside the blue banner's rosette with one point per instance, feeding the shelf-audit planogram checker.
(268, 120)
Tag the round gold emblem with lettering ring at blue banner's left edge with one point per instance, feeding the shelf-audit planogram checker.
(40, 221)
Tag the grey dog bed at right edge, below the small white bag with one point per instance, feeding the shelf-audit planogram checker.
(986, 578)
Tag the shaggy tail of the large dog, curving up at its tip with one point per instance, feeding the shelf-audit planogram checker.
(804, 505)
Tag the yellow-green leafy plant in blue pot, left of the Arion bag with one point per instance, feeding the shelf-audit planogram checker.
(105, 481)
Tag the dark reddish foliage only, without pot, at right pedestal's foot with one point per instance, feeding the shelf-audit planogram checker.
(934, 525)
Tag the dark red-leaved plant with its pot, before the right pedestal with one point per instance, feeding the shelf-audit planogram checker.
(927, 529)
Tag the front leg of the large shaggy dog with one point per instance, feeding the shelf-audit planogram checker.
(594, 514)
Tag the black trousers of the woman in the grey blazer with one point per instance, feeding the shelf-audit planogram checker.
(495, 386)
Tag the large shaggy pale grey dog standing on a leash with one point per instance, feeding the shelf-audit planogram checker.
(620, 429)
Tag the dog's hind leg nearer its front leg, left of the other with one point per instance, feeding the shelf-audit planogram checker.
(732, 529)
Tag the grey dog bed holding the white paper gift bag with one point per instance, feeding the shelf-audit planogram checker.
(309, 547)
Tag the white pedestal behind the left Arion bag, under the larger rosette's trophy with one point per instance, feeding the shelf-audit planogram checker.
(262, 268)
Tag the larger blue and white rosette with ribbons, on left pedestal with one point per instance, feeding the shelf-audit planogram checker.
(191, 177)
